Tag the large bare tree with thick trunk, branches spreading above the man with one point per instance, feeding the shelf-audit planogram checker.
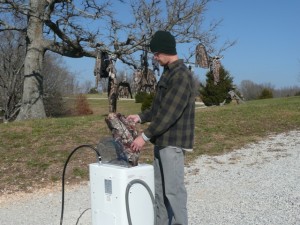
(60, 26)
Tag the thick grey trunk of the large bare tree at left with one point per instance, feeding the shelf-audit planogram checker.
(32, 106)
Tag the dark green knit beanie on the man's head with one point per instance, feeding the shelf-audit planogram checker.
(163, 42)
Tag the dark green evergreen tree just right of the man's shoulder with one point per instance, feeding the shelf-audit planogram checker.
(214, 94)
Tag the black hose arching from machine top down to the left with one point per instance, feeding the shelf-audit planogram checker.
(63, 175)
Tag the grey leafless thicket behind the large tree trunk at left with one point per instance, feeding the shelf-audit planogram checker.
(57, 80)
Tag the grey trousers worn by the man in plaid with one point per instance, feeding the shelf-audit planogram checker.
(170, 192)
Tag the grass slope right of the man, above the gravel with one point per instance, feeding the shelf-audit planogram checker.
(221, 129)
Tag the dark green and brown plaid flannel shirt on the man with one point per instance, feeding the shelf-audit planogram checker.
(173, 109)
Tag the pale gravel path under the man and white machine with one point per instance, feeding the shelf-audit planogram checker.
(258, 184)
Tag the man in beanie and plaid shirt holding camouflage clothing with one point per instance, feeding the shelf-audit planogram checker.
(171, 130)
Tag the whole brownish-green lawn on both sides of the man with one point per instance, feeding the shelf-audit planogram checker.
(32, 153)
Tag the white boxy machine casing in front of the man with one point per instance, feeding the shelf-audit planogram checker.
(108, 183)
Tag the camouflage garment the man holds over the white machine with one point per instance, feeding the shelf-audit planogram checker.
(123, 132)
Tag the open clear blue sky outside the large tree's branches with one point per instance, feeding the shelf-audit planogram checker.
(268, 42)
